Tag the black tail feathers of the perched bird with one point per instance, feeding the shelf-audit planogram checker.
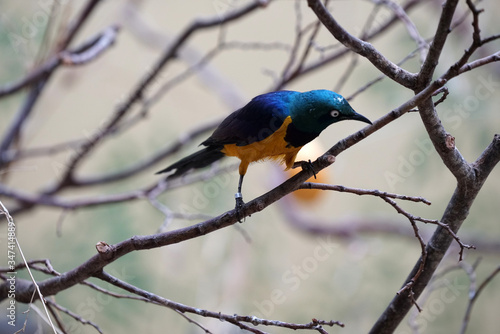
(196, 160)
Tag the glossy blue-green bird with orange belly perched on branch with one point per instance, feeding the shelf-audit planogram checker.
(274, 125)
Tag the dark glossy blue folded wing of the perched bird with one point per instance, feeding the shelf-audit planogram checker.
(256, 121)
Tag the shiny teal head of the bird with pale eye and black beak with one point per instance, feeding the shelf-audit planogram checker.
(315, 110)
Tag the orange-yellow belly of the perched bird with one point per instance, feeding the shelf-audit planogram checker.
(273, 147)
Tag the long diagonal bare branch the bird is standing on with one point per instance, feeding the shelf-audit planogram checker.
(98, 262)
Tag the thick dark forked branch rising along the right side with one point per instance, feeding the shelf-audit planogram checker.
(470, 178)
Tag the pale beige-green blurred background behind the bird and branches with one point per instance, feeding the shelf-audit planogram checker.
(335, 256)
